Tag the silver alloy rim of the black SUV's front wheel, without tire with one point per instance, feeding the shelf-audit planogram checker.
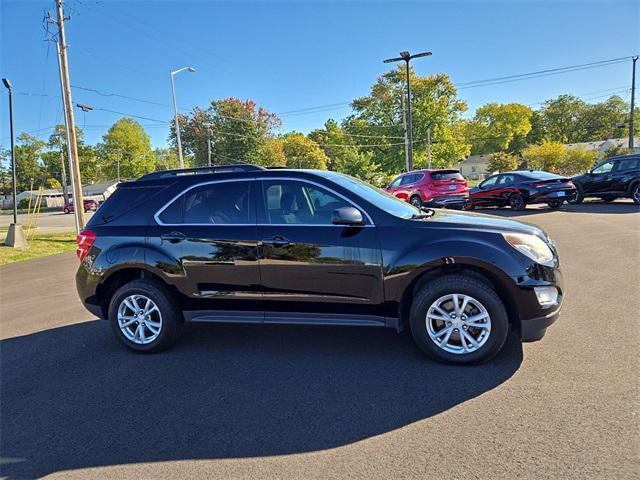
(458, 323)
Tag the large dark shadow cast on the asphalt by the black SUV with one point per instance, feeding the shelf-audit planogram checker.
(74, 398)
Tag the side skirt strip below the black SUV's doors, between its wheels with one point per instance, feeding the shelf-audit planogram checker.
(286, 318)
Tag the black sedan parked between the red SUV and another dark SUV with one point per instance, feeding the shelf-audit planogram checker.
(521, 188)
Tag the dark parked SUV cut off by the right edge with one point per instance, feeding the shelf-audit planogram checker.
(617, 177)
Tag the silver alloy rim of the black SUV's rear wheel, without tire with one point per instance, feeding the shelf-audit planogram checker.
(139, 319)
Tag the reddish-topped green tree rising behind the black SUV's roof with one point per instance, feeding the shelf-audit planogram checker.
(240, 131)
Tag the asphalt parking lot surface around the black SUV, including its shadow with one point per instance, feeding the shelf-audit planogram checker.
(234, 401)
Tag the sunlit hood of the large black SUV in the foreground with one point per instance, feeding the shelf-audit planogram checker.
(484, 222)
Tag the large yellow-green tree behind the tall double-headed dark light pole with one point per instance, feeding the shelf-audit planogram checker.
(378, 118)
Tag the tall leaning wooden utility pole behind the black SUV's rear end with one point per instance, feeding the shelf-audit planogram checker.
(78, 199)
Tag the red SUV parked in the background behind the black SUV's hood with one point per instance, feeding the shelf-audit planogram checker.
(433, 188)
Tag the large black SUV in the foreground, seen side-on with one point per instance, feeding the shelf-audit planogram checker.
(244, 244)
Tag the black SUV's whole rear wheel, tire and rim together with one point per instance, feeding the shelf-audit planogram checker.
(169, 318)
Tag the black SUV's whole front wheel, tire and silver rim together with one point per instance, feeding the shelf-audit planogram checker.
(459, 319)
